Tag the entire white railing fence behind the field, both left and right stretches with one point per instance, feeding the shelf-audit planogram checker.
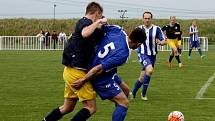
(42, 43)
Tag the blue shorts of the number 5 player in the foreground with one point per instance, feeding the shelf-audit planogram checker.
(108, 91)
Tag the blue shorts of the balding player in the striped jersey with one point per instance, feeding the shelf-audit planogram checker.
(146, 60)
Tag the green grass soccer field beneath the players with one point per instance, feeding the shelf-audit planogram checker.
(32, 85)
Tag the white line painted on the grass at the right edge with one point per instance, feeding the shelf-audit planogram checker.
(204, 88)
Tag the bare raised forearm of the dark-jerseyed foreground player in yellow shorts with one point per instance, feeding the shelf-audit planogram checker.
(87, 31)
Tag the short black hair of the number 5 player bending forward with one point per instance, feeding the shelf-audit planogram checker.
(138, 35)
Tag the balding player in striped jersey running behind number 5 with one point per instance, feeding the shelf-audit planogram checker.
(147, 53)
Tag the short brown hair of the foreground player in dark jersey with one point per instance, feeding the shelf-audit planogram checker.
(92, 7)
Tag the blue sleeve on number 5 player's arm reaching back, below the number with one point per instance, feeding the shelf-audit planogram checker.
(115, 60)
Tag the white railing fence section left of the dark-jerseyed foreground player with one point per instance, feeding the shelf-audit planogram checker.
(31, 43)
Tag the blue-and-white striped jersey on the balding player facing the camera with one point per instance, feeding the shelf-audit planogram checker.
(149, 47)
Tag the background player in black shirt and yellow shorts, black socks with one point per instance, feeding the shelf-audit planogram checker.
(173, 32)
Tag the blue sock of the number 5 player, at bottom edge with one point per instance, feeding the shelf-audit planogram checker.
(119, 113)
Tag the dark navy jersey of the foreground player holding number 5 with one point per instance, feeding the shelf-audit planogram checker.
(79, 51)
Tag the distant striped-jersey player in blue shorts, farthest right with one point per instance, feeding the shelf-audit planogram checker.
(194, 40)
